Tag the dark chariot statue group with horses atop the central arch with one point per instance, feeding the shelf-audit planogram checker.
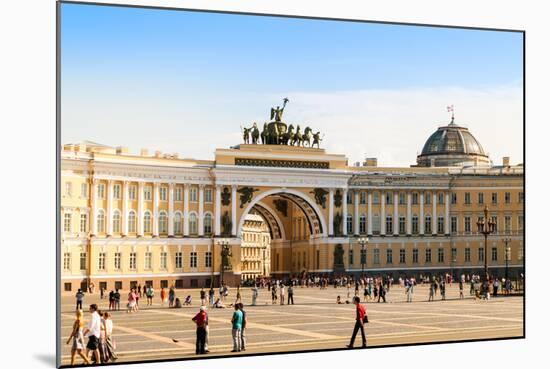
(279, 133)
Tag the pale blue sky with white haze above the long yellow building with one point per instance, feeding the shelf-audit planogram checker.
(158, 74)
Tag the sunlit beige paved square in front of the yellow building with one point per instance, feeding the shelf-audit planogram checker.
(314, 322)
